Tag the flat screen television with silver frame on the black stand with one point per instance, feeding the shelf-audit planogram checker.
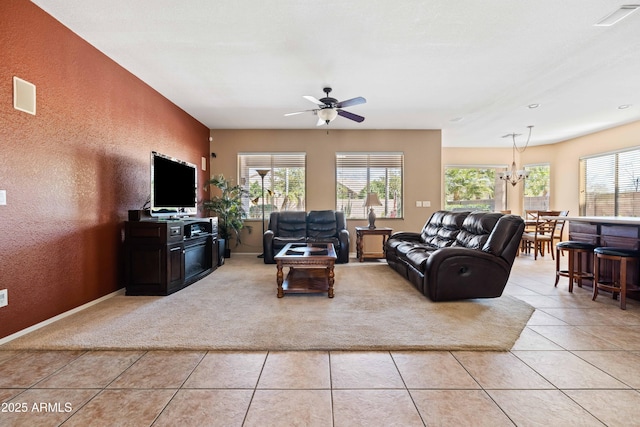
(174, 187)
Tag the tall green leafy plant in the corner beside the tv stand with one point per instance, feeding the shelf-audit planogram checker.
(227, 206)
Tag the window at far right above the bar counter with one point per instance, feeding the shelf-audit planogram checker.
(610, 184)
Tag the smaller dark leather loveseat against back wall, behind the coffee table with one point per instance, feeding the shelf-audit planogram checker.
(326, 226)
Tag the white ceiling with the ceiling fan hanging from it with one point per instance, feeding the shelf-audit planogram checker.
(468, 67)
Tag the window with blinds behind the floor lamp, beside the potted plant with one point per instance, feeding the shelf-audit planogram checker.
(284, 183)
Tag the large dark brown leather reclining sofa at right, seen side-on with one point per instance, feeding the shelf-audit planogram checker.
(458, 255)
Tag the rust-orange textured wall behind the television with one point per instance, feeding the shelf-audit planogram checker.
(74, 170)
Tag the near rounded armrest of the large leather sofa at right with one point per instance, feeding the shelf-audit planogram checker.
(460, 273)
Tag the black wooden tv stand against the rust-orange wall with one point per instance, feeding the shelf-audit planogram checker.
(164, 256)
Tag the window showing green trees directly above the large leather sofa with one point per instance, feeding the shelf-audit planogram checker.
(474, 188)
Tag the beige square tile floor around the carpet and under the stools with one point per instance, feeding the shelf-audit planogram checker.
(576, 363)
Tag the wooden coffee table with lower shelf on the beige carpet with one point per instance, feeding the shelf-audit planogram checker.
(310, 268)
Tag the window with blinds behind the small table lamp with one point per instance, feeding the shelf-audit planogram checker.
(358, 174)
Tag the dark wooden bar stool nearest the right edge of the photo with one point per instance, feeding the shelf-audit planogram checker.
(621, 257)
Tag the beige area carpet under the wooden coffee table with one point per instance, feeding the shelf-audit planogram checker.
(236, 308)
